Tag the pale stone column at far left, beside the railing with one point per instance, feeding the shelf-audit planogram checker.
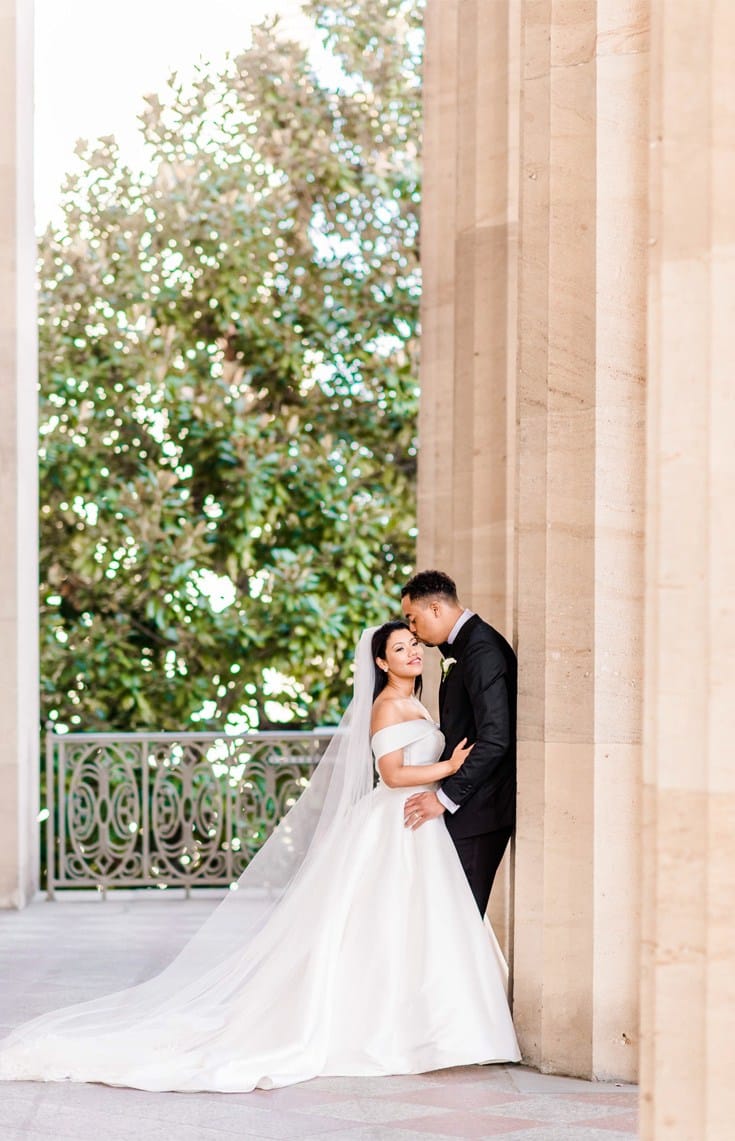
(19, 479)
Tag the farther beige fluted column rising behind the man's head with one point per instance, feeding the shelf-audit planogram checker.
(469, 237)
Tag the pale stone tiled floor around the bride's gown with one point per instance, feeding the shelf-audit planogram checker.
(53, 954)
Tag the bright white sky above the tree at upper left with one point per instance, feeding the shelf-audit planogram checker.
(95, 60)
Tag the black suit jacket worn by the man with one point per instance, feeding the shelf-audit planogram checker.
(478, 701)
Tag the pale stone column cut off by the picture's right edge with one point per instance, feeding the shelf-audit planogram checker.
(689, 981)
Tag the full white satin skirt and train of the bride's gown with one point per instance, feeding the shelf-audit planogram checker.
(387, 970)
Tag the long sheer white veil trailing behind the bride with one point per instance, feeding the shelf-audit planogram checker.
(305, 859)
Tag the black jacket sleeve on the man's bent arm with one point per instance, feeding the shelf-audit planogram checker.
(484, 670)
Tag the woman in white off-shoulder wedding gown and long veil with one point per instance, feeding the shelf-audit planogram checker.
(351, 946)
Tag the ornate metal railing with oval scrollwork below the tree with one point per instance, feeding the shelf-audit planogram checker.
(175, 810)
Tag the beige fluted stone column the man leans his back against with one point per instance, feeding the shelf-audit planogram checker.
(581, 360)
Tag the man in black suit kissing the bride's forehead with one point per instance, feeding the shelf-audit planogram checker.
(478, 701)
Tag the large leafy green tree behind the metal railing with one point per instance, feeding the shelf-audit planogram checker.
(229, 387)
